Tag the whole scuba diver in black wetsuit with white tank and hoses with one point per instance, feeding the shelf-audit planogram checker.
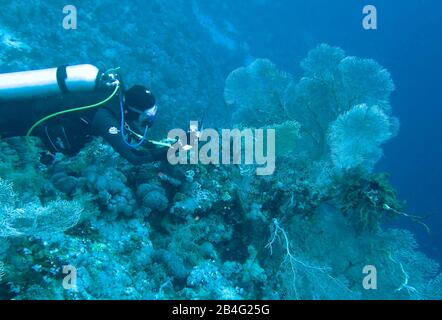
(45, 103)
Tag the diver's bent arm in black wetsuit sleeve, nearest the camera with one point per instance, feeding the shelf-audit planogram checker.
(105, 125)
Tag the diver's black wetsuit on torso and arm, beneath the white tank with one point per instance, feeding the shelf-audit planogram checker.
(69, 133)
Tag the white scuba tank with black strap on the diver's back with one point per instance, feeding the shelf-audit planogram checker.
(46, 82)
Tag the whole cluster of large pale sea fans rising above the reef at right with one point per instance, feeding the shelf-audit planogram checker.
(341, 103)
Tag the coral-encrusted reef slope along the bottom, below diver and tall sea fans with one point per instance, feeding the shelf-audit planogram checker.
(219, 234)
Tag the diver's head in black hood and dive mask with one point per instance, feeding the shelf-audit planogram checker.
(140, 102)
